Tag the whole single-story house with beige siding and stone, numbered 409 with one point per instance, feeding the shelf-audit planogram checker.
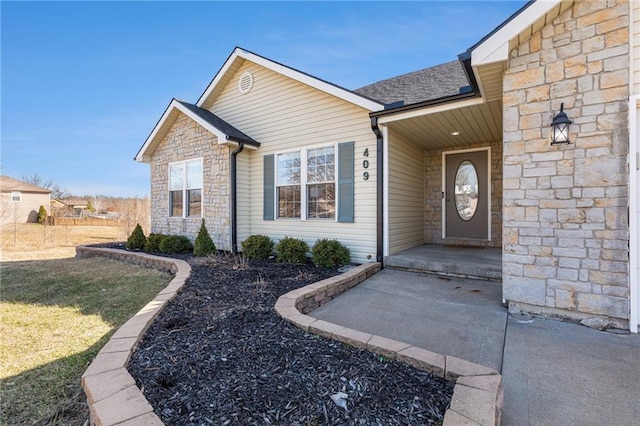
(456, 154)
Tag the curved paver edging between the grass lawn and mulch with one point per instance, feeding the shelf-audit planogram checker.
(112, 394)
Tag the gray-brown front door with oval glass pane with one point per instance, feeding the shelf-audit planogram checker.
(466, 195)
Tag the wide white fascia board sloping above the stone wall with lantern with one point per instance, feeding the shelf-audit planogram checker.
(496, 47)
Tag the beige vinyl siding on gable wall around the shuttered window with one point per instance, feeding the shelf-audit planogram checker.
(285, 115)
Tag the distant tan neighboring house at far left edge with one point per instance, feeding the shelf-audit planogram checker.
(20, 201)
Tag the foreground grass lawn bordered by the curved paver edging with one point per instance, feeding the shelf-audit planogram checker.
(55, 315)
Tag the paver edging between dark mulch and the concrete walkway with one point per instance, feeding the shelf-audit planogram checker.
(478, 393)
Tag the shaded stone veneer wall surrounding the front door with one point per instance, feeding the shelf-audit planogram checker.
(433, 198)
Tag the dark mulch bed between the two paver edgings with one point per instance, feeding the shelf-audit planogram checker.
(220, 354)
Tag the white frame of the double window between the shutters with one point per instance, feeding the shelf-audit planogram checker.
(304, 213)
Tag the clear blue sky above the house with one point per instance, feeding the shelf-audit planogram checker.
(83, 83)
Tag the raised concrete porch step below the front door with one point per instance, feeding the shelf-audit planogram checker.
(482, 263)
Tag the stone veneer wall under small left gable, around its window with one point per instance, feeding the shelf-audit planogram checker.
(188, 140)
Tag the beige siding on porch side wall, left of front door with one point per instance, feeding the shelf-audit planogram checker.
(406, 194)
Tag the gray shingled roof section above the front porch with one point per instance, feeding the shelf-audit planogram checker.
(418, 86)
